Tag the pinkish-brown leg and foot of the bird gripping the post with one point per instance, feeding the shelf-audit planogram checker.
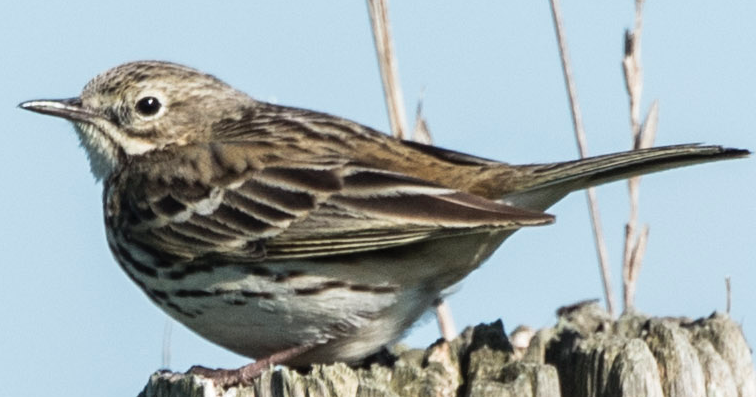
(246, 374)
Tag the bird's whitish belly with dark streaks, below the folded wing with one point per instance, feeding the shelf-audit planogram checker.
(348, 307)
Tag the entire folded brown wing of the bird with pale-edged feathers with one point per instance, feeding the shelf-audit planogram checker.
(232, 203)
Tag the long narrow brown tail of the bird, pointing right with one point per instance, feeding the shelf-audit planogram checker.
(542, 185)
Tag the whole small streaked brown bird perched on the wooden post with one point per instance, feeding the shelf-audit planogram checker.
(293, 236)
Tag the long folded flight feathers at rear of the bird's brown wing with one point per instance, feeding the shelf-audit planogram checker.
(377, 209)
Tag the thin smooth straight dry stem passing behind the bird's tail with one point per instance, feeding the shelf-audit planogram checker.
(582, 146)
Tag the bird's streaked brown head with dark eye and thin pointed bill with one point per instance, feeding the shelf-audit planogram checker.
(144, 106)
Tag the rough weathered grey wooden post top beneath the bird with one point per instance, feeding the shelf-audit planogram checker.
(585, 354)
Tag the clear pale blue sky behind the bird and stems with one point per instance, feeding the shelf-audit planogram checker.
(69, 317)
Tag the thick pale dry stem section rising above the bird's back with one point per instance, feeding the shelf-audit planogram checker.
(384, 47)
